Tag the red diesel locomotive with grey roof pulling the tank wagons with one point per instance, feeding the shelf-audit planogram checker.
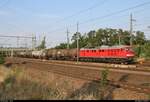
(119, 54)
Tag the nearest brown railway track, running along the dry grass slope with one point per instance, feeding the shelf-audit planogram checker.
(97, 81)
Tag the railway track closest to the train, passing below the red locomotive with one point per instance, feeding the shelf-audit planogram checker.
(128, 69)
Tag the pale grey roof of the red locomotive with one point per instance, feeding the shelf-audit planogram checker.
(107, 47)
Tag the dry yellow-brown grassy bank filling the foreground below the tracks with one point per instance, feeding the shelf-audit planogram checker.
(23, 84)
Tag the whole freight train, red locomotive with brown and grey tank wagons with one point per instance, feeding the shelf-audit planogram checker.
(115, 54)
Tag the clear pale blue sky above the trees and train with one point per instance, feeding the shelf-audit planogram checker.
(52, 17)
